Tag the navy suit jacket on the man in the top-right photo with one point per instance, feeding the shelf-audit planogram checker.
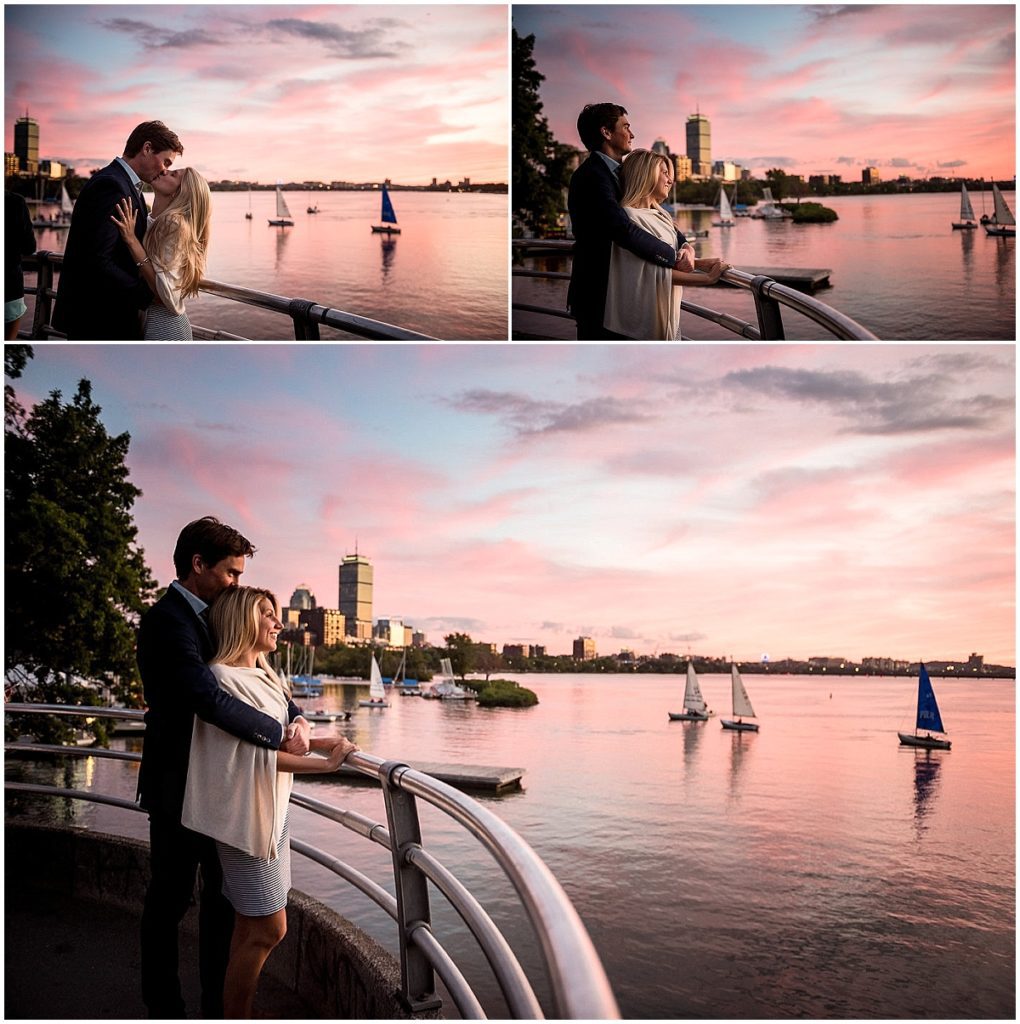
(599, 221)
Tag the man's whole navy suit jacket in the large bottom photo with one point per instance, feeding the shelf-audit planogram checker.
(174, 648)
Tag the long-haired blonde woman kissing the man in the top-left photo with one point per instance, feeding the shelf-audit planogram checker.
(173, 262)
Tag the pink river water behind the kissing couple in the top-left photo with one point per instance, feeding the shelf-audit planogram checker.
(445, 276)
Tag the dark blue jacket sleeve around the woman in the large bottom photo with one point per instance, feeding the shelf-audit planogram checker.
(172, 649)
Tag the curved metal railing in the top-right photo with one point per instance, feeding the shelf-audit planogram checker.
(770, 296)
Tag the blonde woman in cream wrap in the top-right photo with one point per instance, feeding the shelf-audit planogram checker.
(644, 300)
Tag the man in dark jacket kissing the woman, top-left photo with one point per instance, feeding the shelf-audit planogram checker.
(101, 292)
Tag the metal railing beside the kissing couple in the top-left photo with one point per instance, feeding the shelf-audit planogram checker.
(306, 316)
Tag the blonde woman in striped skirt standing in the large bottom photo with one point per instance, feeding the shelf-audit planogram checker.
(239, 794)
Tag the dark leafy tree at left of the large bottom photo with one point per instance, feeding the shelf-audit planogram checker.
(76, 581)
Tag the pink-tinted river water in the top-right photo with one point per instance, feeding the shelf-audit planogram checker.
(899, 269)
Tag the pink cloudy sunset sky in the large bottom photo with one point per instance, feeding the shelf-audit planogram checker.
(794, 501)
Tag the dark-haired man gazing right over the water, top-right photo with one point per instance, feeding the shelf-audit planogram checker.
(598, 220)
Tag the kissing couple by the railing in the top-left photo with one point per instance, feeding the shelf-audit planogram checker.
(126, 272)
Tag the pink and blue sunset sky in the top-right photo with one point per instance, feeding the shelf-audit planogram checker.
(816, 90)
